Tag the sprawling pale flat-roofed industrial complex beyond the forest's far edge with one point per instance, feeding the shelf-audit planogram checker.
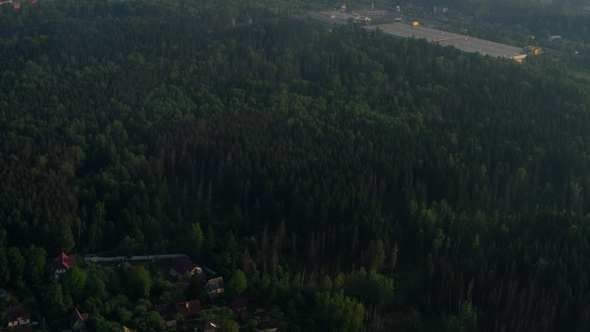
(464, 43)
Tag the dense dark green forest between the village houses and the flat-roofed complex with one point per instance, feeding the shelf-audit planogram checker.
(356, 179)
